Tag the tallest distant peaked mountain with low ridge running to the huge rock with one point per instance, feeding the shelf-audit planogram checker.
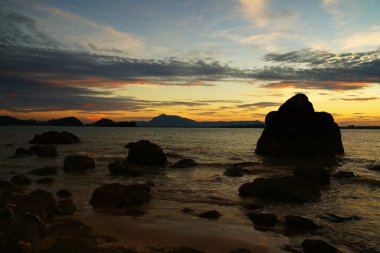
(164, 120)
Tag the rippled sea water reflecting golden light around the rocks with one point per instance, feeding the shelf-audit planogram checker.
(204, 187)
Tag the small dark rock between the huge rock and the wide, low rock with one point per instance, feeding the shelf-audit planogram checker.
(316, 175)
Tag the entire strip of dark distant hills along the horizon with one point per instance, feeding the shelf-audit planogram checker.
(162, 120)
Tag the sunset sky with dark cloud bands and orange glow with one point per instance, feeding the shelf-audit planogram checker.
(208, 60)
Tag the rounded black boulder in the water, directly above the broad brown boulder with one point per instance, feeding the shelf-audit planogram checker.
(145, 153)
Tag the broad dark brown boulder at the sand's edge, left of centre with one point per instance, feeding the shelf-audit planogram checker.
(119, 198)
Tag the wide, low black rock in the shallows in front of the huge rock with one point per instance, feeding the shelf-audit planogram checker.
(287, 189)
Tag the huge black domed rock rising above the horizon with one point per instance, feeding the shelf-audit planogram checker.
(296, 130)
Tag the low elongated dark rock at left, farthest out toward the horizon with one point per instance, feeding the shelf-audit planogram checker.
(53, 137)
